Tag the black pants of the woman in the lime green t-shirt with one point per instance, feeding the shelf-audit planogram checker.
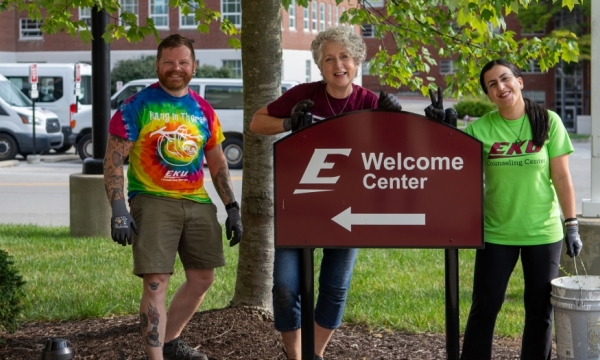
(493, 267)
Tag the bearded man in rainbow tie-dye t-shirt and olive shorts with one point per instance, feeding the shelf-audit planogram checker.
(167, 130)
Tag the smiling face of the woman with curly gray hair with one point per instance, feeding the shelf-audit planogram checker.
(337, 67)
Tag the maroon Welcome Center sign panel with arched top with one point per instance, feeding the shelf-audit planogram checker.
(379, 179)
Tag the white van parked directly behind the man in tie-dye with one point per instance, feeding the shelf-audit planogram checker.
(225, 95)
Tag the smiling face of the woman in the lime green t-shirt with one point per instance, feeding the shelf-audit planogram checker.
(503, 87)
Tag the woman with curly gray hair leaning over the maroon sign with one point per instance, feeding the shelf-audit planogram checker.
(338, 52)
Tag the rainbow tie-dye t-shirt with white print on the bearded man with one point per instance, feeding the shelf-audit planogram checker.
(170, 135)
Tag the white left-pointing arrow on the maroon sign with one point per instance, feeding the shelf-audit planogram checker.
(346, 219)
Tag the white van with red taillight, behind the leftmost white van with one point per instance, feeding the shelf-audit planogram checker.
(56, 85)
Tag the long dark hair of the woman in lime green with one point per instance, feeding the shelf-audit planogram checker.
(538, 115)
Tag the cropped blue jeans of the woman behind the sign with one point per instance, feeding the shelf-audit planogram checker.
(334, 283)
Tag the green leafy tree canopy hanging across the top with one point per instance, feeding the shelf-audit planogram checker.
(471, 32)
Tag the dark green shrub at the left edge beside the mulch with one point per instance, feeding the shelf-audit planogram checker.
(11, 293)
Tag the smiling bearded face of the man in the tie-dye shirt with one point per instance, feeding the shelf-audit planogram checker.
(175, 69)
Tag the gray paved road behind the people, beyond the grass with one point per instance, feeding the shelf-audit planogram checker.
(39, 193)
